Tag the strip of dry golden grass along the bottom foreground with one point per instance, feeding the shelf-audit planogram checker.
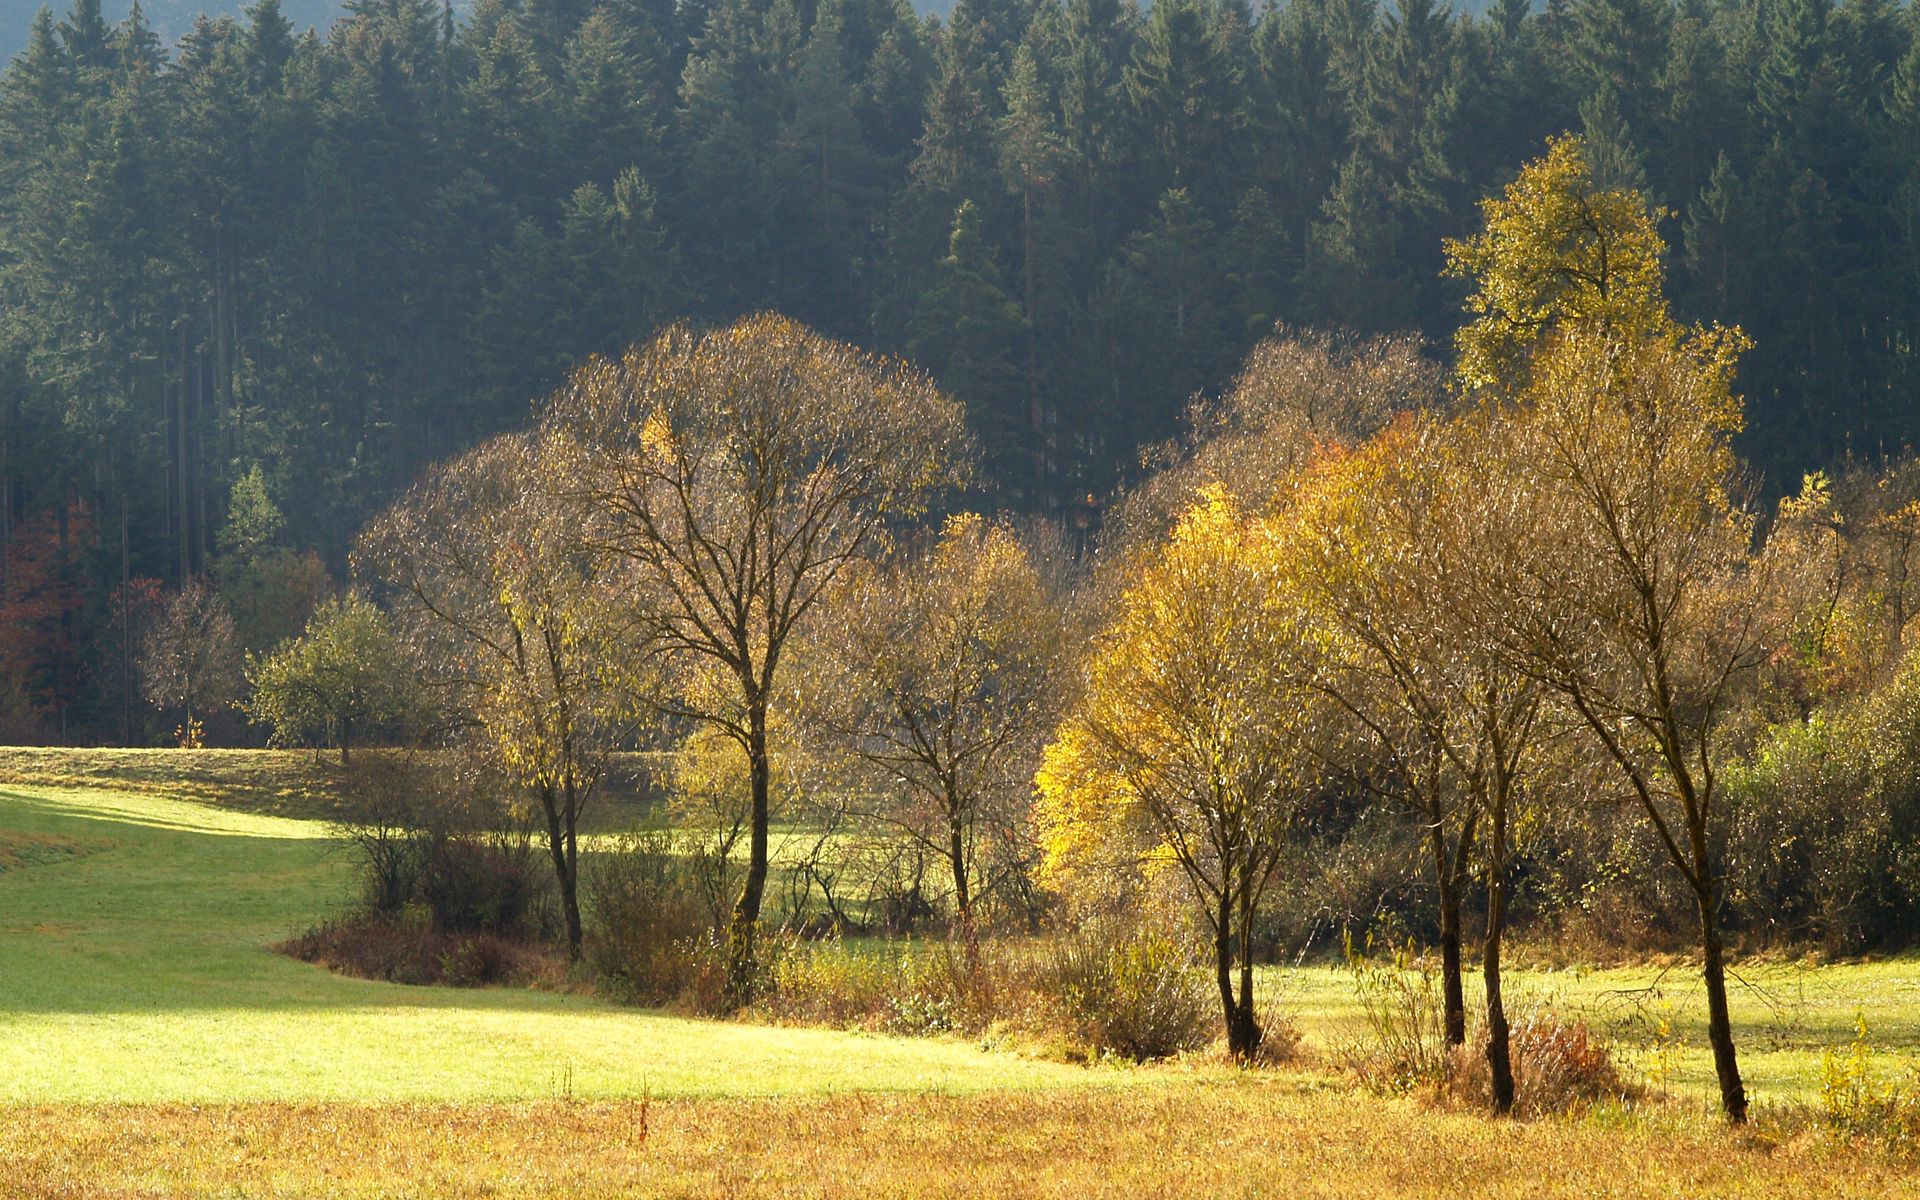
(1262, 1136)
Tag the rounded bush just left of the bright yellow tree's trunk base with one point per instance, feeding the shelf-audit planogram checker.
(1126, 988)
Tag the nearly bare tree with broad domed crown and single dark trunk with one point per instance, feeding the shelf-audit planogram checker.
(738, 475)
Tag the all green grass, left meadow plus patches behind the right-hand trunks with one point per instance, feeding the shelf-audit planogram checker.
(135, 967)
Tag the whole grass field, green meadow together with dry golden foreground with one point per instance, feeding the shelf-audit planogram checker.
(153, 1045)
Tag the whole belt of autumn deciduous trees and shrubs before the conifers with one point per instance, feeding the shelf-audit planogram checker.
(1437, 656)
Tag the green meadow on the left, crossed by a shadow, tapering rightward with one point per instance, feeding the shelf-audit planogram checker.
(141, 972)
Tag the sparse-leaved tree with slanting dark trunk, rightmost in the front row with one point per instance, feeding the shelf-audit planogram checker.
(1639, 596)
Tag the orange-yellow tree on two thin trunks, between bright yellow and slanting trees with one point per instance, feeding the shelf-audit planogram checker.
(1395, 539)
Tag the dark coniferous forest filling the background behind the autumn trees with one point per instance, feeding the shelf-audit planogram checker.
(252, 283)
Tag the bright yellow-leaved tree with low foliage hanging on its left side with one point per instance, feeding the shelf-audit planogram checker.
(1191, 740)
